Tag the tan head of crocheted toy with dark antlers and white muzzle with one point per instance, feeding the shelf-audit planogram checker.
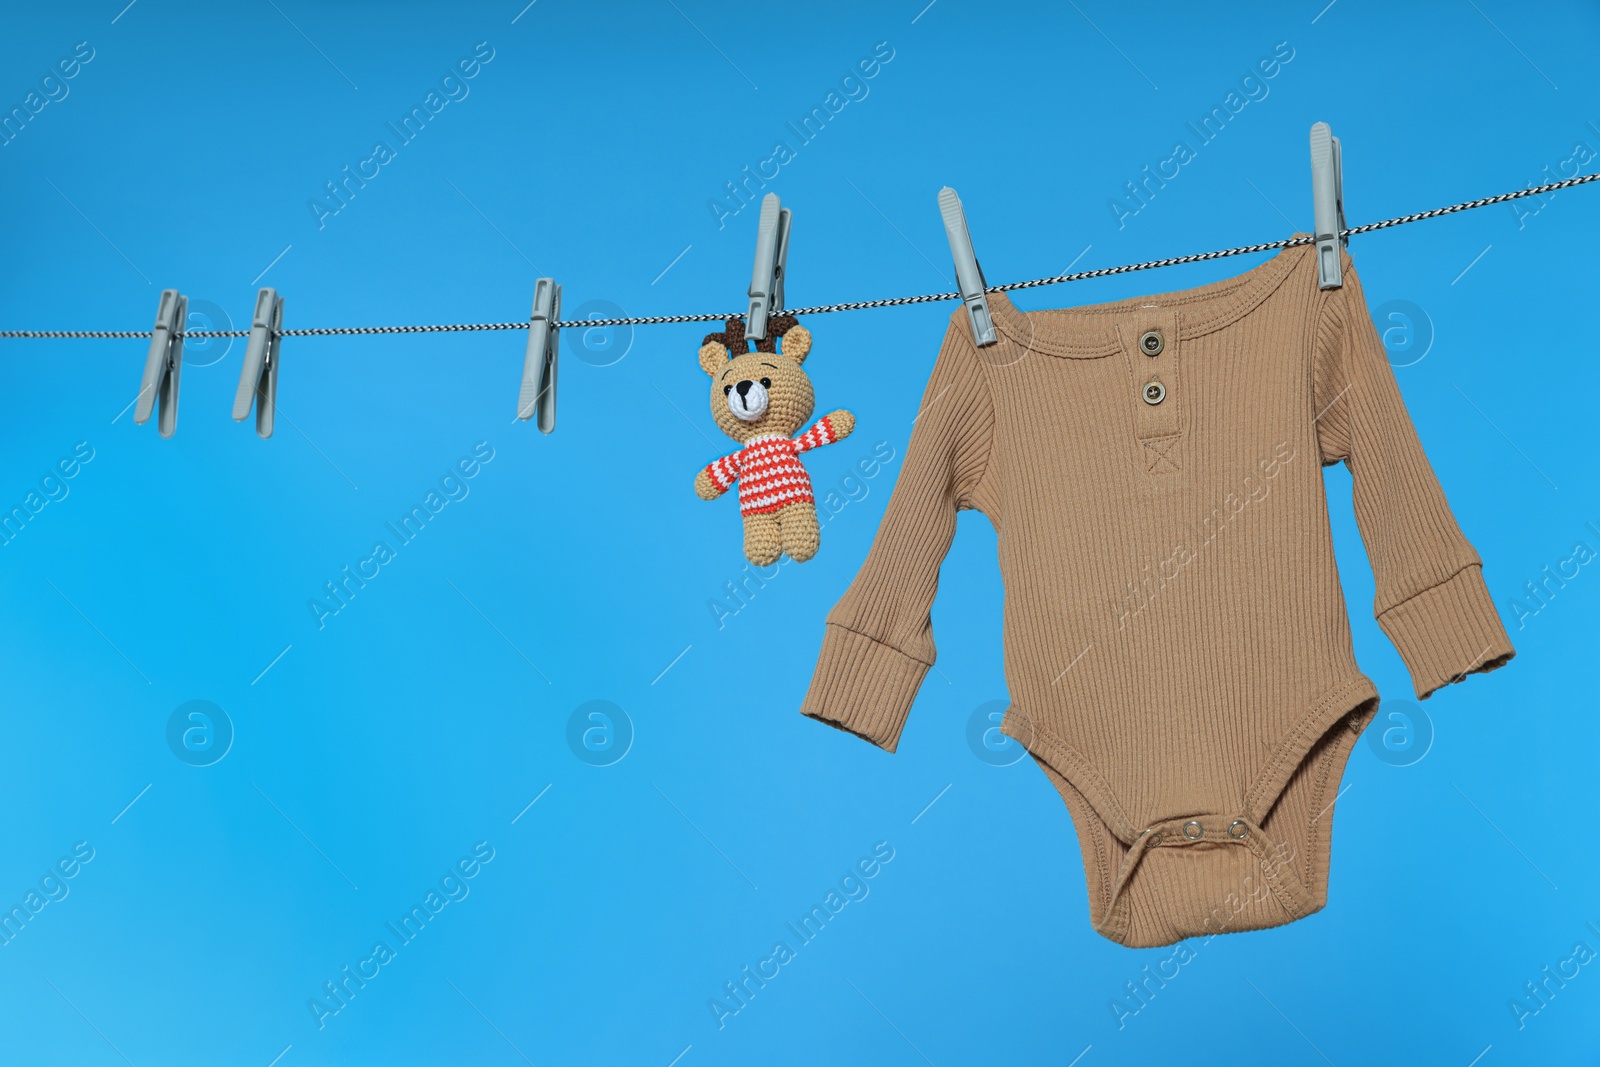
(761, 393)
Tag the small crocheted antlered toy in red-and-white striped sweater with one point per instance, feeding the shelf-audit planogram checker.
(761, 399)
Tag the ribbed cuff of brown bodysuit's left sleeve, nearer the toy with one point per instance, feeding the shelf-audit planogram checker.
(865, 687)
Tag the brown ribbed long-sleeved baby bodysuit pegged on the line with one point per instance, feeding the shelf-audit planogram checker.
(1177, 645)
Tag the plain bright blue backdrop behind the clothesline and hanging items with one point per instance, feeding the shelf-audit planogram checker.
(434, 708)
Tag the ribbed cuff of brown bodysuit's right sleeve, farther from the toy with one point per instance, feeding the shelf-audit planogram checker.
(1447, 633)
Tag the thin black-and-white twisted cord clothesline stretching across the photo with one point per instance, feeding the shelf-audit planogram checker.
(823, 310)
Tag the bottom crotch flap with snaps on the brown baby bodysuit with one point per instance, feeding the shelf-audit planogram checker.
(1214, 873)
